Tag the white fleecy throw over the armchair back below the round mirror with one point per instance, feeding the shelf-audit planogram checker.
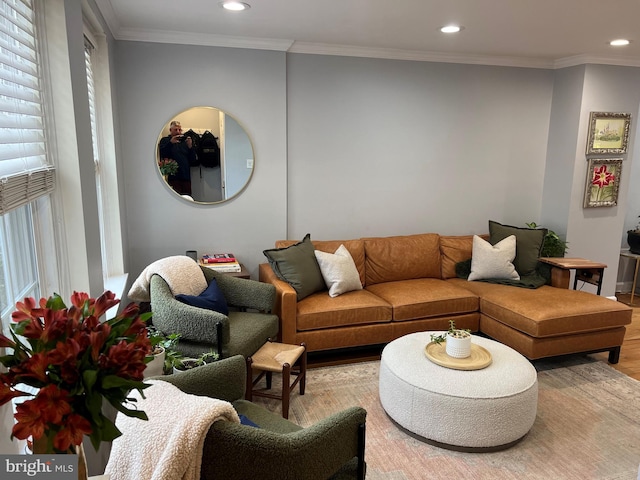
(181, 273)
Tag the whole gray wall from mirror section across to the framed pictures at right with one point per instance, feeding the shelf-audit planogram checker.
(348, 147)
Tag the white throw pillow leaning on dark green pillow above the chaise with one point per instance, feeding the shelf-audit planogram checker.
(493, 261)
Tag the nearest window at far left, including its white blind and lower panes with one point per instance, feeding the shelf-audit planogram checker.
(25, 172)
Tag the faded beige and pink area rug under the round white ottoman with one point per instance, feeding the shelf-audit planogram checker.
(587, 426)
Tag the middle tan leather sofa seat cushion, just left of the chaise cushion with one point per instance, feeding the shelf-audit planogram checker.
(425, 297)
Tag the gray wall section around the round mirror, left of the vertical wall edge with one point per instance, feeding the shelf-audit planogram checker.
(157, 81)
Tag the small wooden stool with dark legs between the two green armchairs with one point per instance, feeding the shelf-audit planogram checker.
(279, 358)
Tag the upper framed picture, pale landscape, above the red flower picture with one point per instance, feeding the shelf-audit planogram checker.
(608, 132)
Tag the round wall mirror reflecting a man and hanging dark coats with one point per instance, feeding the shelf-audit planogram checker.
(204, 155)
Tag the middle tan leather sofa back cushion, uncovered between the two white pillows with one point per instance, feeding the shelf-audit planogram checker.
(390, 259)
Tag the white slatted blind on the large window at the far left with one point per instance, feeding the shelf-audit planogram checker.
(25, 173)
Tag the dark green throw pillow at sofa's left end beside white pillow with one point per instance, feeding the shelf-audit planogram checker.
(297, 265)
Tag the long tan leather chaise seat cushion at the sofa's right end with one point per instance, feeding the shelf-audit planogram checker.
(547, 311)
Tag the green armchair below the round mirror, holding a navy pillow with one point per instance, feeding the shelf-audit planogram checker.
(242, 332)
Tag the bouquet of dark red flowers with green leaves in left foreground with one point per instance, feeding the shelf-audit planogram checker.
(74, 361)
